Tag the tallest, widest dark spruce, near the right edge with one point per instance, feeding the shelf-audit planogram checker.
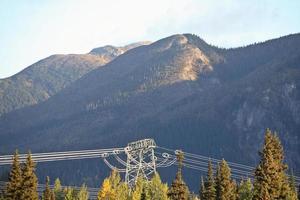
(271, 180)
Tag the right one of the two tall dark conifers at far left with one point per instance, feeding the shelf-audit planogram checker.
(30, 182)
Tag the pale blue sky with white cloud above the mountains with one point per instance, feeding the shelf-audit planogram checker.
(31, 30)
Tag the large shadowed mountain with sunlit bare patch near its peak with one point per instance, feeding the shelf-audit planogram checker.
(180, 91)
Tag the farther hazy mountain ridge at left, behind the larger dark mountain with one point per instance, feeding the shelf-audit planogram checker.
(45, 78)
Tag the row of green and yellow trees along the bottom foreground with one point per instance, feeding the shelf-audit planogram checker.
(271, 182)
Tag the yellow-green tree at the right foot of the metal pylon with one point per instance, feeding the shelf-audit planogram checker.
(156, 189)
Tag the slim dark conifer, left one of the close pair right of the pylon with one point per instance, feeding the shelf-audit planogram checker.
(209, 192)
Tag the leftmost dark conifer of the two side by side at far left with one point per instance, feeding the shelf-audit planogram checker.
(14, 186)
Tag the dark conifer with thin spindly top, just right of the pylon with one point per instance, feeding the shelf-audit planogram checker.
(178, 189)
